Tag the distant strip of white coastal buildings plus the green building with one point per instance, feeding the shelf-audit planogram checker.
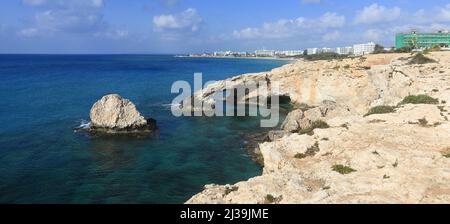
(405, 42)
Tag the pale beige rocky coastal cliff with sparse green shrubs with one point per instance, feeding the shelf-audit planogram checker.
(378, 141)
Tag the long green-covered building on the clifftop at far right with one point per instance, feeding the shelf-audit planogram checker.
(422, 40)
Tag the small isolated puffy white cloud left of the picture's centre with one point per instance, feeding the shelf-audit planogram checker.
(187, 20)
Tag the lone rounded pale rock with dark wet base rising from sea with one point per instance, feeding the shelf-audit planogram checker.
(113, 114)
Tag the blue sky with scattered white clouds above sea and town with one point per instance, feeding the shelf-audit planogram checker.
(185, 26)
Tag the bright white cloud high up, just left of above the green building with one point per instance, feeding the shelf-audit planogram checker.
(377, 13)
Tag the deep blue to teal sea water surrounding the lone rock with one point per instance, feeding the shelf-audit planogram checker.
(44, 97)
